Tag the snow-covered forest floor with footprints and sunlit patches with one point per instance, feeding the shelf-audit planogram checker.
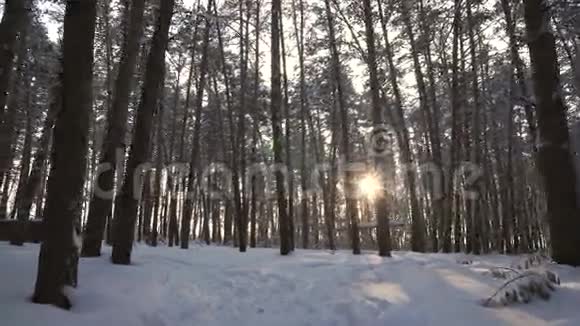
(221, 287)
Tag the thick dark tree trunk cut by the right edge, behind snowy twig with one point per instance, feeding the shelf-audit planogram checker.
(555, 160)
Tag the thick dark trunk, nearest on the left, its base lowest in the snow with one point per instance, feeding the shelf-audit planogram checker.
(58, 259)
